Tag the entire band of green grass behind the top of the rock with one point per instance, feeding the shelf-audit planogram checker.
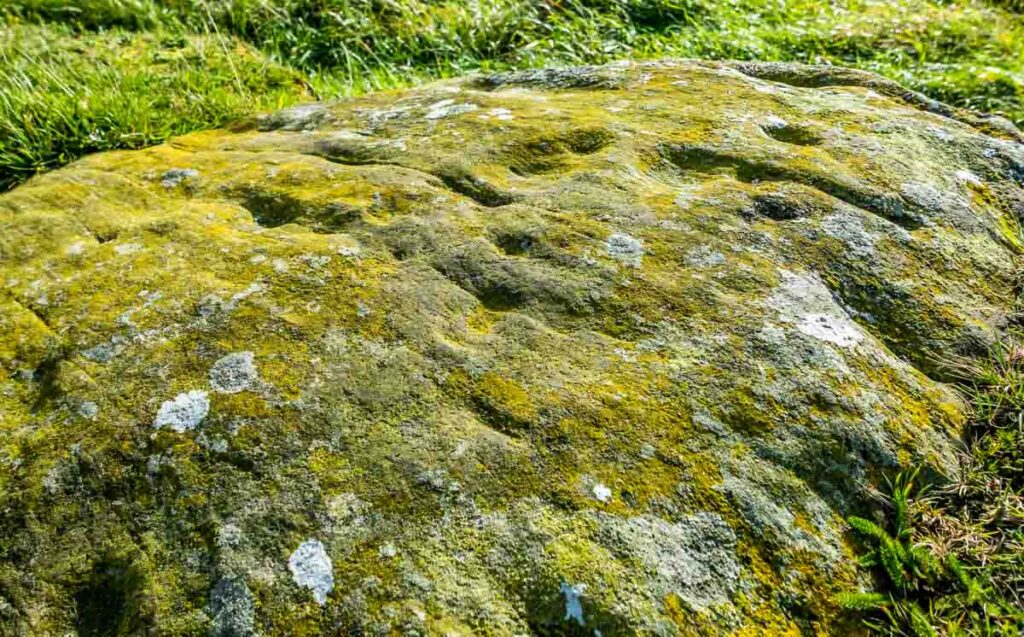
(78, 76)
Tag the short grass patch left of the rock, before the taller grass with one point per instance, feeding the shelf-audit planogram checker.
(64, 97)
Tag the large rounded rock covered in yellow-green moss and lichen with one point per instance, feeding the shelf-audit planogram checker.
(592, 352)
